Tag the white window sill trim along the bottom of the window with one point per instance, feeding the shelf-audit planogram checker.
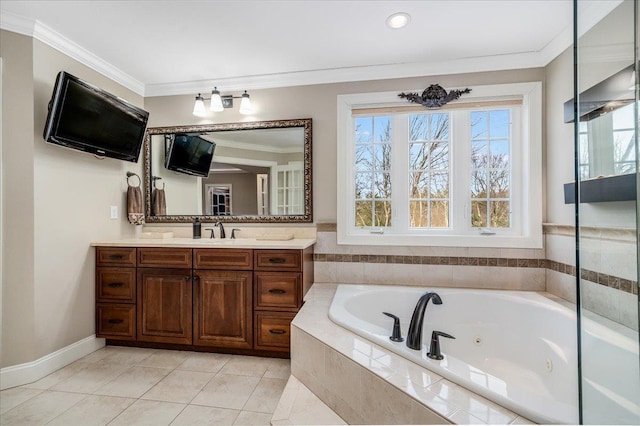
(486, 241)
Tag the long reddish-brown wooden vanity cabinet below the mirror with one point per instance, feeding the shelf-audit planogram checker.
(216, 299)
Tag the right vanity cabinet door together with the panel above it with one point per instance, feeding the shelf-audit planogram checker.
(222, 303)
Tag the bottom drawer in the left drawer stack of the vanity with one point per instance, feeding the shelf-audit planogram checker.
(116, 321)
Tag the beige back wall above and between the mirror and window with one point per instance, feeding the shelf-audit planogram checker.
(319, 103)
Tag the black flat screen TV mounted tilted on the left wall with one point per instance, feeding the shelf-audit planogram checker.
(84, 117)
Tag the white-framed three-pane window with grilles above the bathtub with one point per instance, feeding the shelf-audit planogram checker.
(468, 174)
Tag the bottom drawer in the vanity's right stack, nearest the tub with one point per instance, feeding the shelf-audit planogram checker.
(273, 331)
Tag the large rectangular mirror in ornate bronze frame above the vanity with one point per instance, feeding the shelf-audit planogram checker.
(249, 172)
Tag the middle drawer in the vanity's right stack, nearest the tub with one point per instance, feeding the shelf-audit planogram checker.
(278, 290)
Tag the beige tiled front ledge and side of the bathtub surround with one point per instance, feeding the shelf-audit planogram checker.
(364, 383)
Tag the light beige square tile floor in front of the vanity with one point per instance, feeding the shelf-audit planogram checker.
(135, 386)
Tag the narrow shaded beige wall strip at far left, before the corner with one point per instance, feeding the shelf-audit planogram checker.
(18, 344)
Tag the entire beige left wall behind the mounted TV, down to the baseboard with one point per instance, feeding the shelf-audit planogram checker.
(56, 201)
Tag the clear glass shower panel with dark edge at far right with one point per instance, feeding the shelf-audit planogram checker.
(607, 214)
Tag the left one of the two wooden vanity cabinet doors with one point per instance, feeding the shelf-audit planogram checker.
(164, 305)
